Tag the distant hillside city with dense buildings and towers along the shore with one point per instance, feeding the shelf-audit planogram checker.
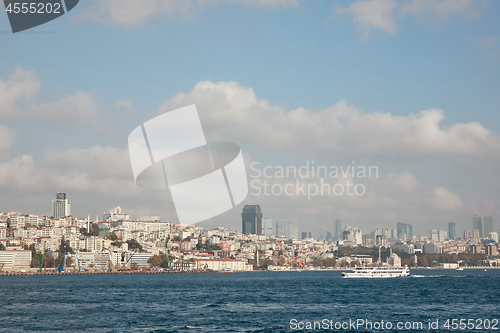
(114, 243)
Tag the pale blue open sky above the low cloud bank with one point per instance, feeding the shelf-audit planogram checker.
(308, 56)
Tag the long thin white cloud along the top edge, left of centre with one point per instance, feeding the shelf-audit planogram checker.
(129, 13)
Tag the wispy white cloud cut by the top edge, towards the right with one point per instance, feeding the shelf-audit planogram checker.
(382, 14)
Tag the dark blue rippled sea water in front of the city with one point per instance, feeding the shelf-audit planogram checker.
(243, 302)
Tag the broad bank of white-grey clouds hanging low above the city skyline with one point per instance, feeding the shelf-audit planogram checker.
(98, 178)
